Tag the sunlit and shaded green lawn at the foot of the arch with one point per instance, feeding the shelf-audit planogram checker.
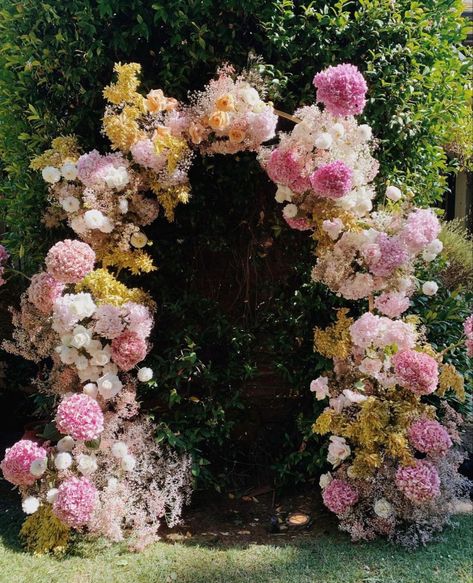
(324, 558)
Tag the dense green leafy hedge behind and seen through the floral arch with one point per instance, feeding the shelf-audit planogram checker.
(233, 352)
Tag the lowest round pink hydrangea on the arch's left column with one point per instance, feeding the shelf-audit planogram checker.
(75, 501)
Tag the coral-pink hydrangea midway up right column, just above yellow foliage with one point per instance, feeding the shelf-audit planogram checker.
(416, 371)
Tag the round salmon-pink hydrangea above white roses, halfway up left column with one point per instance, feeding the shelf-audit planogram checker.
(70, 261)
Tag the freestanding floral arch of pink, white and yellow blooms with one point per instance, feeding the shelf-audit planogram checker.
(97, 466)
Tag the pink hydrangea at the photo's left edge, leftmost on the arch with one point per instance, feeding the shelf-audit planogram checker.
(17, 462)
